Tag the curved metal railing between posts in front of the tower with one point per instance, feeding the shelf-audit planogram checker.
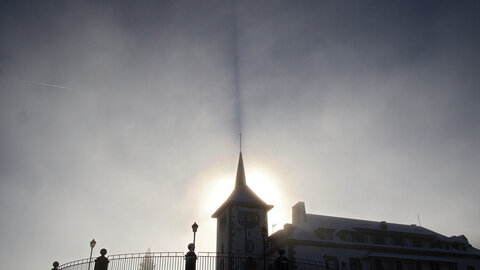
(176, 260)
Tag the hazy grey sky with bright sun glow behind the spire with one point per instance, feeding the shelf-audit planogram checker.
(119, 120)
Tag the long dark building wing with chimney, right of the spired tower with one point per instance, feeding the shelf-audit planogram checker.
(345, 243)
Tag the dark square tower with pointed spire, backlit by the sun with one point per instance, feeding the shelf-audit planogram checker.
(241, 218)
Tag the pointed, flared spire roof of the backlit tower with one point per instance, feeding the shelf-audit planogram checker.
(242, 195)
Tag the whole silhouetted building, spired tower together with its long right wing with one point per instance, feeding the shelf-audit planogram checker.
(340, 243)
